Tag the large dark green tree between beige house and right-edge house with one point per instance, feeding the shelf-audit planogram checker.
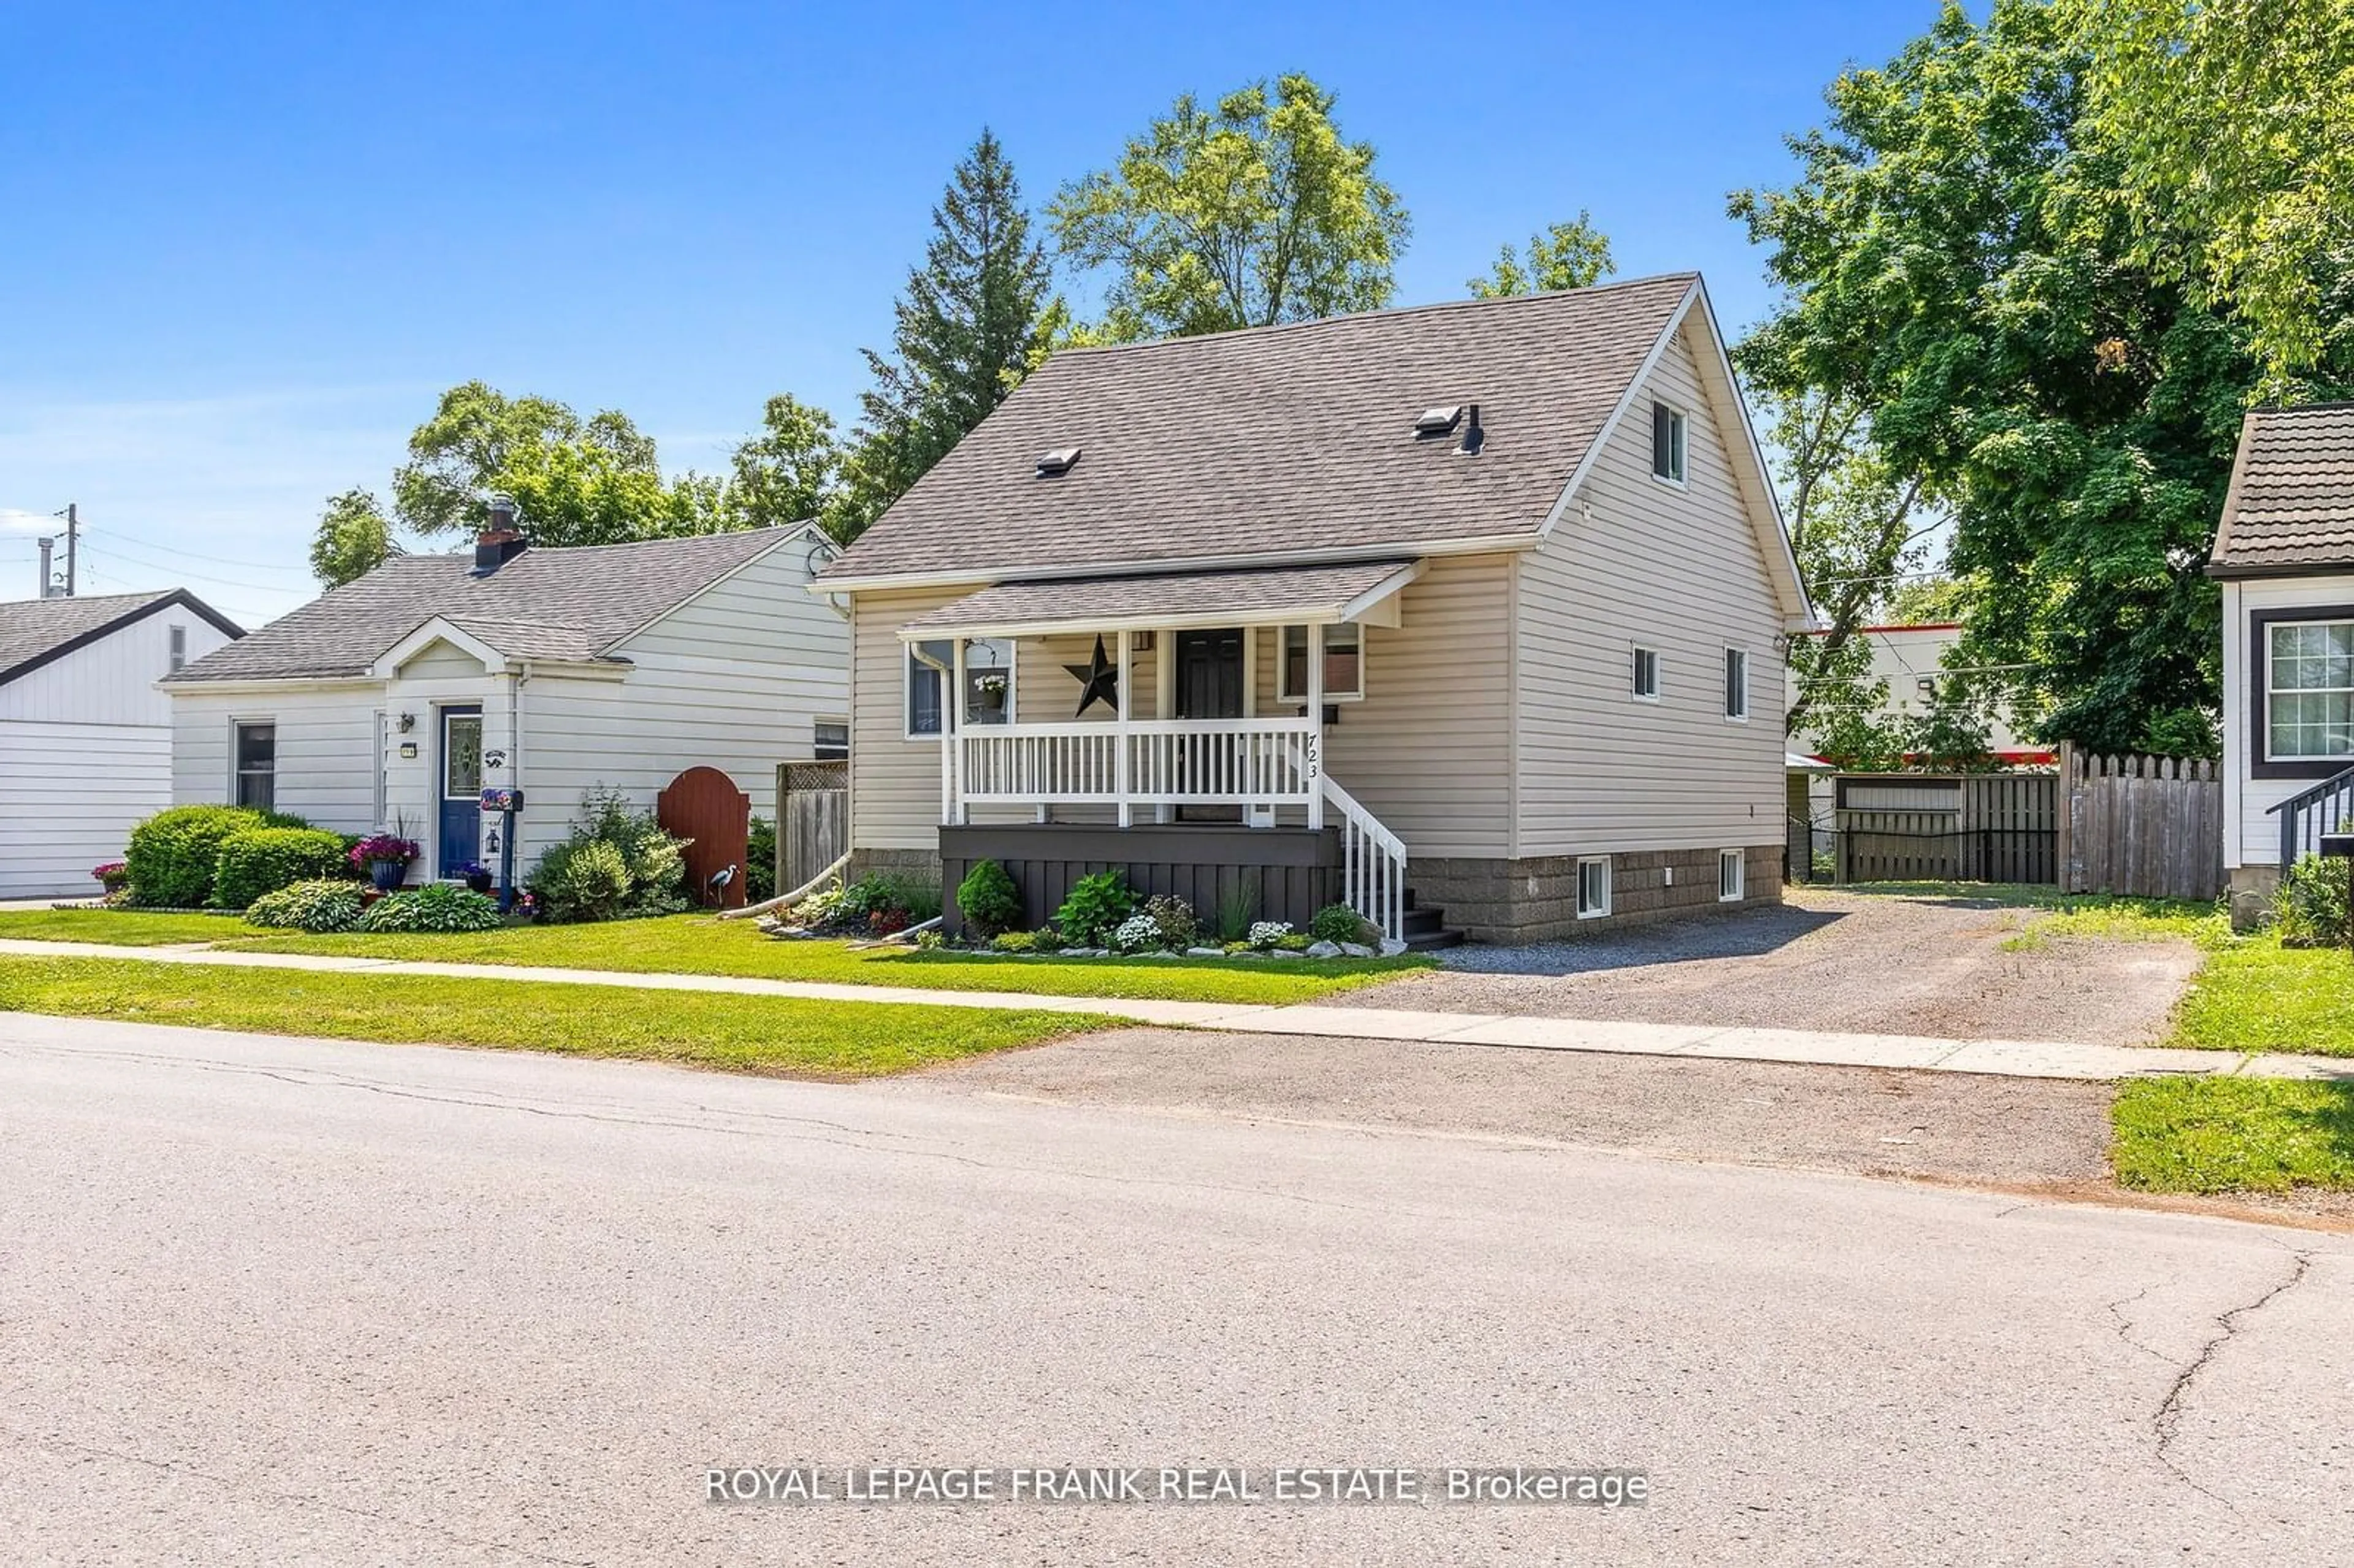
(1953, 260)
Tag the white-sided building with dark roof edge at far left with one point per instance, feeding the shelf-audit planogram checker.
(86, 738)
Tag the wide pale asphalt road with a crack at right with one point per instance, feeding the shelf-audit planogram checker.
(319, 1303)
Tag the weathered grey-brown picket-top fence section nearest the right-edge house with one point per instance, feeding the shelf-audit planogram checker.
(2141, 825)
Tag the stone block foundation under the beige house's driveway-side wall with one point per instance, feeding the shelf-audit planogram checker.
(1536, 901)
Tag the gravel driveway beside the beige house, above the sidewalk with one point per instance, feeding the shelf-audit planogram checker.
(1828, 959)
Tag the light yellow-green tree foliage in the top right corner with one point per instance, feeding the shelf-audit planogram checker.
(2233, 124)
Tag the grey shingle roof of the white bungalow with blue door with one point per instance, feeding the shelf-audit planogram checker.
(545, 604)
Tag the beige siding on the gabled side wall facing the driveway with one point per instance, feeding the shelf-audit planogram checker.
(1637, 562)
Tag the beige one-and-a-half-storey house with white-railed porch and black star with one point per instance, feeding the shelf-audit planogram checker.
(1468, 616)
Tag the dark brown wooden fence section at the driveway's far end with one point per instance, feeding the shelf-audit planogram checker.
(1946, 828)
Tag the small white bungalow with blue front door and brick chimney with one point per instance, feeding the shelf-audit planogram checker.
(397, 700)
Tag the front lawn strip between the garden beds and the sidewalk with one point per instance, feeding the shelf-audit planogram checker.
(700, 945)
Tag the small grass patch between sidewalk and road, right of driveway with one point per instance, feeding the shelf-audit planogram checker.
(2233, 1134)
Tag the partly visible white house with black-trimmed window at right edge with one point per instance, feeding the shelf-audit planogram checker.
(2285, 557)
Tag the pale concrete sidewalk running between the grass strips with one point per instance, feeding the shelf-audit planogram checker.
(1922, 1054)
